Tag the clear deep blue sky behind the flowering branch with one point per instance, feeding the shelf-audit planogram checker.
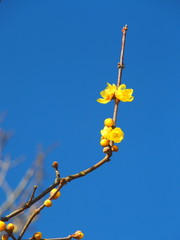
(55, 58)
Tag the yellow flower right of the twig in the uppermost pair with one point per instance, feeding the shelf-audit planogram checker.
(123, 94)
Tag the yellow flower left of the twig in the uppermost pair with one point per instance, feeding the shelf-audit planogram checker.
(107, 94)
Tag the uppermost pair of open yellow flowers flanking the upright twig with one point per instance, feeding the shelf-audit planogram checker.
(111, 92)
